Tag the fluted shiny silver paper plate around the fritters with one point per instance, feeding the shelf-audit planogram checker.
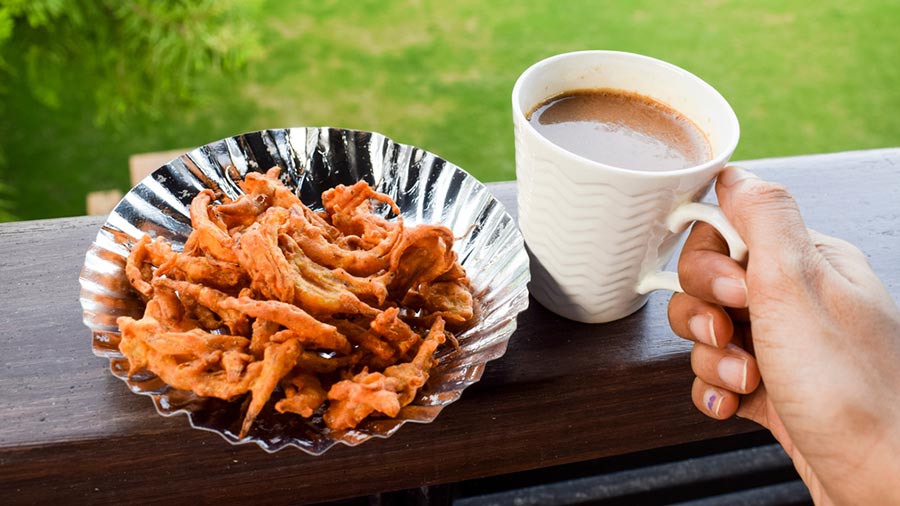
(427, 189)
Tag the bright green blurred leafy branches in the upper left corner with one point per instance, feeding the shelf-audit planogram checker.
(127, 56)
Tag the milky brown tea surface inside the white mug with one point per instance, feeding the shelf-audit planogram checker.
(621, 129)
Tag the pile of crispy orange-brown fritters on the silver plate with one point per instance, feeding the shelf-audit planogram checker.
(342, 306)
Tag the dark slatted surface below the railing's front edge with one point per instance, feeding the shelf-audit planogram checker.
(743, 470)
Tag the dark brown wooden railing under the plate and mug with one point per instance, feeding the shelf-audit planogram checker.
(564, 392)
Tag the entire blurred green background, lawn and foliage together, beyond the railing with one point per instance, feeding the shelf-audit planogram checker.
(84, 84)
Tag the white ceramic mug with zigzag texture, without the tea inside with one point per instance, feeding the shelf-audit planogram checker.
(598, 235)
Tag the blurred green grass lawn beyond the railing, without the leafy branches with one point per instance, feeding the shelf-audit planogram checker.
(803, 77)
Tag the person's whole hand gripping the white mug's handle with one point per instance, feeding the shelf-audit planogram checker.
(804, 340)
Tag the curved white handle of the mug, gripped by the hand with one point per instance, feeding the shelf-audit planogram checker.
(677, 222)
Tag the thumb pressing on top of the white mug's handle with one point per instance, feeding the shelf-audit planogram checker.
(765, 215)
